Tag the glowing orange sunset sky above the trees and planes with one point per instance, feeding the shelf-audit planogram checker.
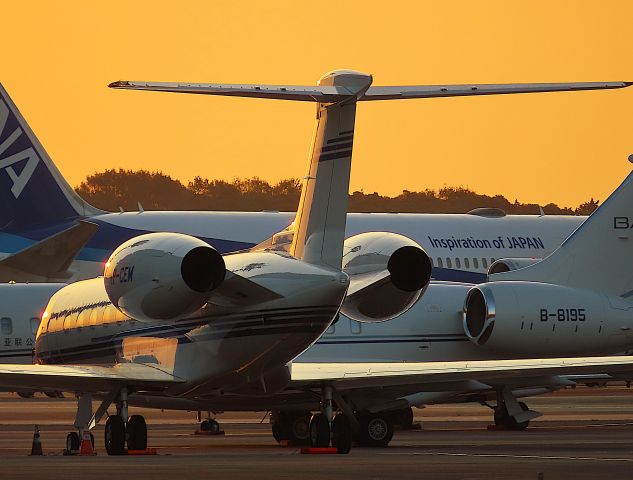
(58, 57)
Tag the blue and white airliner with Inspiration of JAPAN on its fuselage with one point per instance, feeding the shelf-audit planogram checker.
(48, 233)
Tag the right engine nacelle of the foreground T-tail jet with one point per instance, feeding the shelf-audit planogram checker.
(388, 273)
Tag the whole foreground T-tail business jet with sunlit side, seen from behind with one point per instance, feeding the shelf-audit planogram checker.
(150, 349)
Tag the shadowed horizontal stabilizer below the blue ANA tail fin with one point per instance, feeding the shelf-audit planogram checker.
(49, 258)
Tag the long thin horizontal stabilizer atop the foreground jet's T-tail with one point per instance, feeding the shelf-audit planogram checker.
(332, 94)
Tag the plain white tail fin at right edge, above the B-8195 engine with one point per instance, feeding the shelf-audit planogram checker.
(597, 256)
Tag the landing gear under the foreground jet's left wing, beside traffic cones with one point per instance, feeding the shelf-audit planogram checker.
(121, 430)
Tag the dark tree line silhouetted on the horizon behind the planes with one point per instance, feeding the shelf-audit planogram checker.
(114, 189)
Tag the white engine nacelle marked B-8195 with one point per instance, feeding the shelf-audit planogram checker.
(521, 319)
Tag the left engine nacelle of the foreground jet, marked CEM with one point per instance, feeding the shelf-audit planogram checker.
(162, 276)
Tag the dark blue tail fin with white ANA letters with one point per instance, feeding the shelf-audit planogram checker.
(32, 190)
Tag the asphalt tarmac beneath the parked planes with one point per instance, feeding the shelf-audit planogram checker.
(584, 434)
